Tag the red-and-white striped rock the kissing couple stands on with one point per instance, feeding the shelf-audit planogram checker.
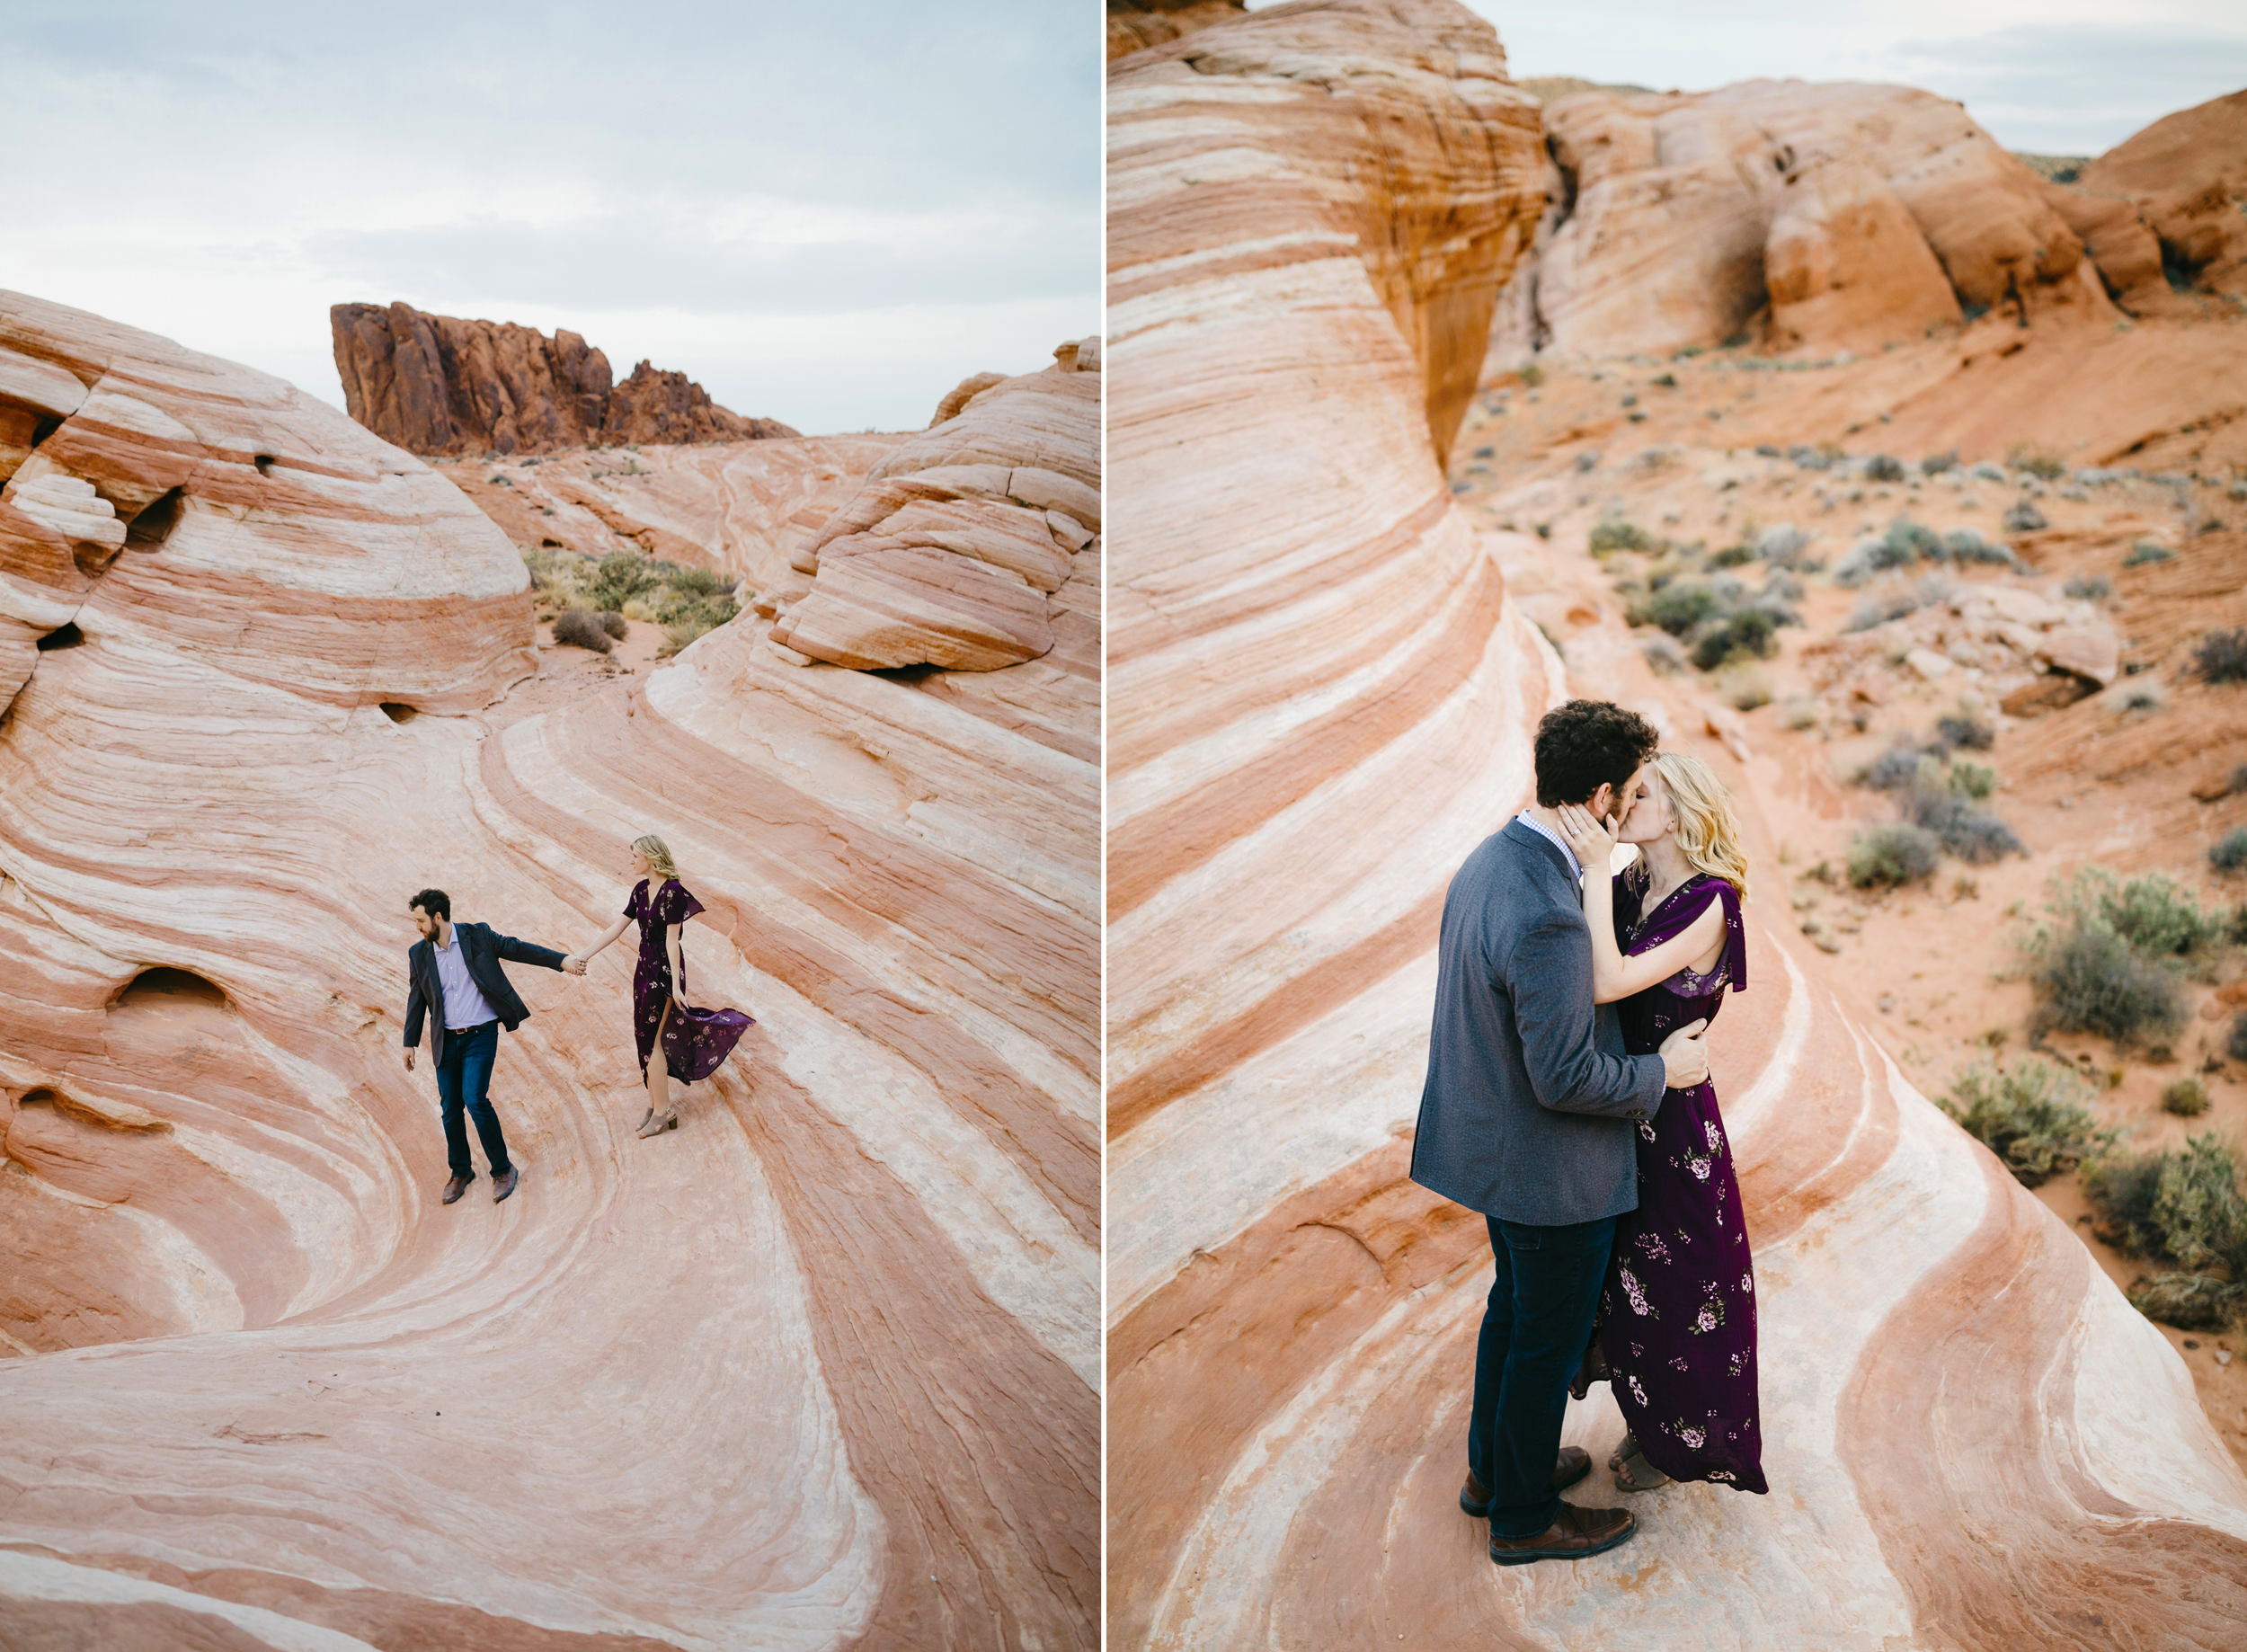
(1322, 698)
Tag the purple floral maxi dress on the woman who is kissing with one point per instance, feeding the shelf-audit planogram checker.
(1677, 1314)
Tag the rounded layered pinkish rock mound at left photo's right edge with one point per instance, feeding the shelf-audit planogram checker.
(954, 550)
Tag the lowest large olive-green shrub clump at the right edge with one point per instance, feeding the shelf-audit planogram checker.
(2181, 1208)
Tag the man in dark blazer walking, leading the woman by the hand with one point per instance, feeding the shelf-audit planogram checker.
(457, 983)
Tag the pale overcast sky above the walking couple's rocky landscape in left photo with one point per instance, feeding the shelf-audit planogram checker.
(826, 212)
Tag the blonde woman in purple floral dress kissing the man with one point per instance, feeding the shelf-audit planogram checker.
(1677, 1316)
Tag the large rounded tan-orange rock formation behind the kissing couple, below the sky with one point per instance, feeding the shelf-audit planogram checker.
(1799, 215)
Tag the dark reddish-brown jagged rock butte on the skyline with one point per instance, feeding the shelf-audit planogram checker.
(439, 385)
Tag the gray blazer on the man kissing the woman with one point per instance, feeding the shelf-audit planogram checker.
(1529, 1100)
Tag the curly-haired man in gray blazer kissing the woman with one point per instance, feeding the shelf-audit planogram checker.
(1529, 1118)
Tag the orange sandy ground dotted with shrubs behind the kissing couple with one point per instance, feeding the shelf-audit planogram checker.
(2107, 781)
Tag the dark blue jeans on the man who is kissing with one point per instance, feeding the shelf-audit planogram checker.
(1534, 1334)
